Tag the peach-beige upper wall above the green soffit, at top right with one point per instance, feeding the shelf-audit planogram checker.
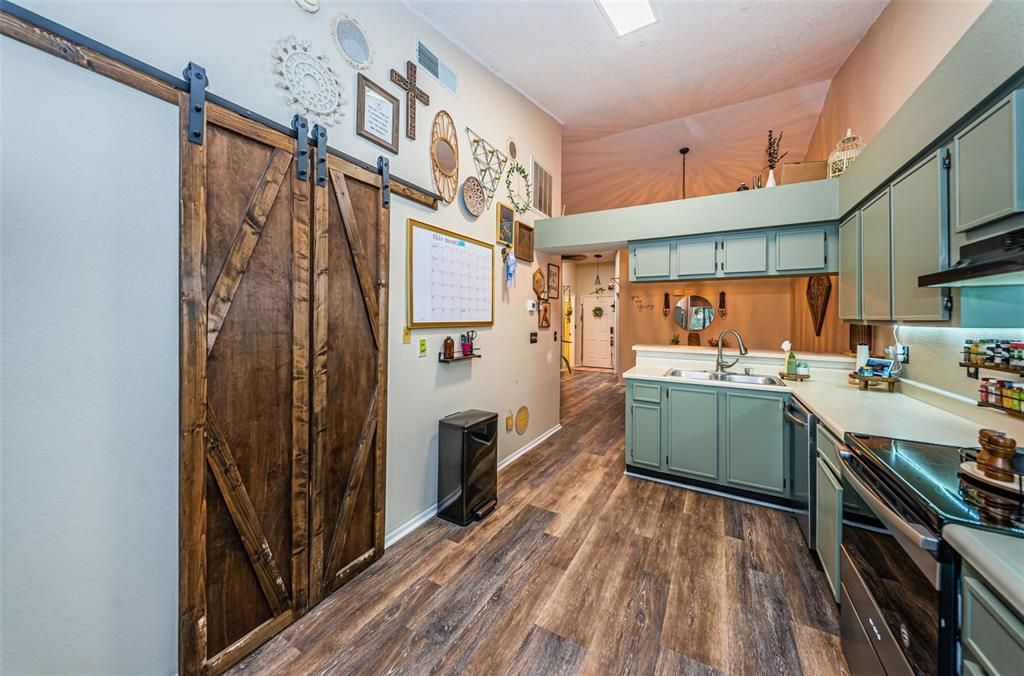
(907, 43)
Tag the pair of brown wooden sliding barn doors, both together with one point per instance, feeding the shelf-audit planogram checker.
(283, 385)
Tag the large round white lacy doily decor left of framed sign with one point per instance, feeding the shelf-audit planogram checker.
(312, 88)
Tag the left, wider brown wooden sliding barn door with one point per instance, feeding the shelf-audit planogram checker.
(245, 390)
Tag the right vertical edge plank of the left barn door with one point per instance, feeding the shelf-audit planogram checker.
(301, 393)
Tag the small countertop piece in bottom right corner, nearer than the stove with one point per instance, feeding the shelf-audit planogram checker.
(999, 559)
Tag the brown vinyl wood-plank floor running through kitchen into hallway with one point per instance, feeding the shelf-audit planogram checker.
(581, 570)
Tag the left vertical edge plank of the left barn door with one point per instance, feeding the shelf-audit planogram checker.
(192, 412)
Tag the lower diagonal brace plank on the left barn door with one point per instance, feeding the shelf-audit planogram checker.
(240, 506)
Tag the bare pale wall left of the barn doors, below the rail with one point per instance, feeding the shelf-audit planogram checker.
(89, 448)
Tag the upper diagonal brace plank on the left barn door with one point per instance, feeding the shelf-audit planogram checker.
(245, 242)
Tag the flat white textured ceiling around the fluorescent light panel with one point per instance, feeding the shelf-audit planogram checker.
(701, 57)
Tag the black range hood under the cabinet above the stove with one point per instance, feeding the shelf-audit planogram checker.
(996, 262)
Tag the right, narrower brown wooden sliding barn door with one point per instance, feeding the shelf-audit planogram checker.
(350, 345)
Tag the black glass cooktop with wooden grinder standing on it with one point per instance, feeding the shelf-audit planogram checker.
(928, 477)
